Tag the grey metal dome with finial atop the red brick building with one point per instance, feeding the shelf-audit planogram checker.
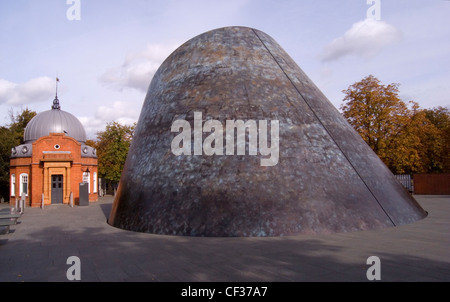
(54, 121)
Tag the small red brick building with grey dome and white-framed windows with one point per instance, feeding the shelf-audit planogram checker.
(53, 161)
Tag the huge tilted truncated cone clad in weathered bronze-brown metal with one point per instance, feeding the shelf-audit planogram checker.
(326, 180)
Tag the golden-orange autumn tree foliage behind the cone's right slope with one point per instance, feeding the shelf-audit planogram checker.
(399, 133)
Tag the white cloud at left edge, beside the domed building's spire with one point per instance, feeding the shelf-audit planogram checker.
(35, 90)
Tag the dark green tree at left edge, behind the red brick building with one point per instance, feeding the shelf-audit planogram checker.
(11, 136)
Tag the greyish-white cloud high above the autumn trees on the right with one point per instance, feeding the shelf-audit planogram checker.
(365, 38)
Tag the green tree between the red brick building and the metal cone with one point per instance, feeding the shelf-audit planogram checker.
(112, 148)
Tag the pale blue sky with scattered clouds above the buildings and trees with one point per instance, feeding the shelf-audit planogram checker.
(106, 52)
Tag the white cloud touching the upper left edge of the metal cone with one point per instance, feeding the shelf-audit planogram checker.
(138, 68)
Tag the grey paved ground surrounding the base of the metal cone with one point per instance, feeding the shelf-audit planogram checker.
(37, 250)
